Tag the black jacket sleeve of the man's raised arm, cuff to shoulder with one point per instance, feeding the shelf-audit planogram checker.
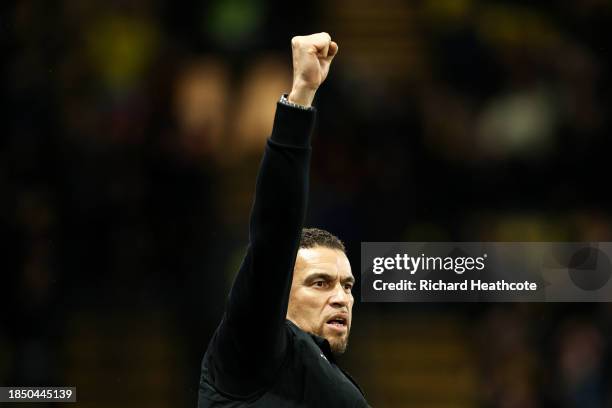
(250, 343)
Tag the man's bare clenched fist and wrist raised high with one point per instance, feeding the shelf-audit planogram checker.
(312, 56)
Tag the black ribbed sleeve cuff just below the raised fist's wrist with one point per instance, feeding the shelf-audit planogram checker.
(293, 126)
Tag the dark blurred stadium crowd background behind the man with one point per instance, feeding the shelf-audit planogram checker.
(131, 135)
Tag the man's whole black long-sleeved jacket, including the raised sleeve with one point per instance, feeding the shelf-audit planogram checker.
(258, 358)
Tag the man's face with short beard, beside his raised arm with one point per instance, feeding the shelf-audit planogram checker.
(321, 301)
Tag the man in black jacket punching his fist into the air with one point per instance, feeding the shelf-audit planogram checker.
(288, 311)
